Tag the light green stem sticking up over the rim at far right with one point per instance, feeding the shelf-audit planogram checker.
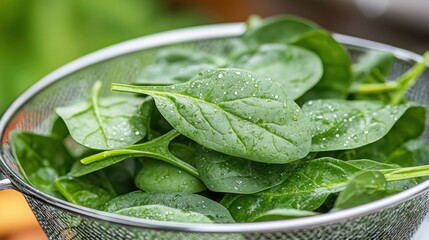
(408, 79)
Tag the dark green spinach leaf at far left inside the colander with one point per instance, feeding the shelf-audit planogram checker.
(41, 159)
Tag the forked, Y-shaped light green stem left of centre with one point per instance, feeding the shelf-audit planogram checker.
(156, 149)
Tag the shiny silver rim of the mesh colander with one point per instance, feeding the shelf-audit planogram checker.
(215, 31)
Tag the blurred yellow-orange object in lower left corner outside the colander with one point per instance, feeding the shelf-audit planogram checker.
(16, 219)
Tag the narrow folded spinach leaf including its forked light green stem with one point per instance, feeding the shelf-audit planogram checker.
(157, 148)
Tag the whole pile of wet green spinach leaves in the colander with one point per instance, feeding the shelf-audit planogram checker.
(280, 124)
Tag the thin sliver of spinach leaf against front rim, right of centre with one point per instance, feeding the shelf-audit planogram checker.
(281, 214)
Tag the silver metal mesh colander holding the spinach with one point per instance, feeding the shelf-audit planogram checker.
(394, 217)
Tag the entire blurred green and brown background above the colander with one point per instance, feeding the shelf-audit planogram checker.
(38, 36)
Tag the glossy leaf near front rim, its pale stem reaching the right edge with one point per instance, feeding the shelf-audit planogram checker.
(306, 187)
